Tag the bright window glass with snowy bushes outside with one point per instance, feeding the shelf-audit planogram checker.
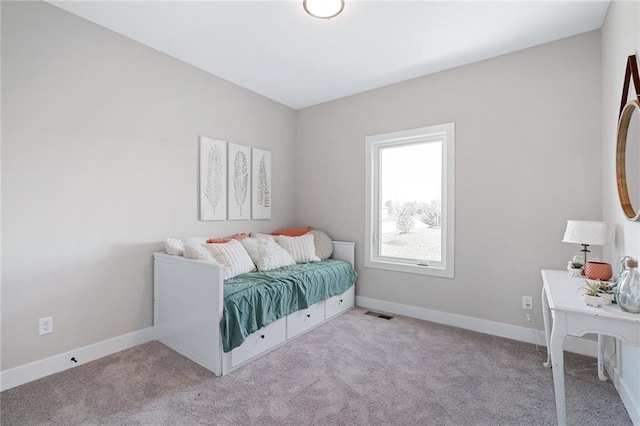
(411, 201)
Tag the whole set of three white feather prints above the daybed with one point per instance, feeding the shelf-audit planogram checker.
(235, 181)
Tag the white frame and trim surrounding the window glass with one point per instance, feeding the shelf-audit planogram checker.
(444, 132)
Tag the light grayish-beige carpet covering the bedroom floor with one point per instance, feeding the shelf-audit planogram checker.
(354, 370)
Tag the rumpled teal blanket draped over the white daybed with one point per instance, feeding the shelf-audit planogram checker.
(256, 299)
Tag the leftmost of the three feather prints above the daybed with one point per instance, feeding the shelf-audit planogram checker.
(213, 179)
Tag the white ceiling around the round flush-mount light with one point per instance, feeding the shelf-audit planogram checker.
(275, 49)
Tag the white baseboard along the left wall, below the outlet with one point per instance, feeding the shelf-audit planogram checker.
(45, 367)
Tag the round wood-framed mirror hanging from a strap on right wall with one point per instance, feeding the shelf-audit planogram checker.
(628, 160)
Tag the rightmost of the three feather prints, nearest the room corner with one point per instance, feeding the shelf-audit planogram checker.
(260, 184)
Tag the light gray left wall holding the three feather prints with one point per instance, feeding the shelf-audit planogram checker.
(99, 163)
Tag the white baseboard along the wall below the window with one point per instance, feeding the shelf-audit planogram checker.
(522, 334)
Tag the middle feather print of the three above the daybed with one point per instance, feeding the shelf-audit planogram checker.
(239, 182)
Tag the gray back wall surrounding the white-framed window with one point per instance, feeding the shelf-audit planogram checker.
(527, 159)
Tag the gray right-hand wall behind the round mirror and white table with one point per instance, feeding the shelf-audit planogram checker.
(620, 38)
